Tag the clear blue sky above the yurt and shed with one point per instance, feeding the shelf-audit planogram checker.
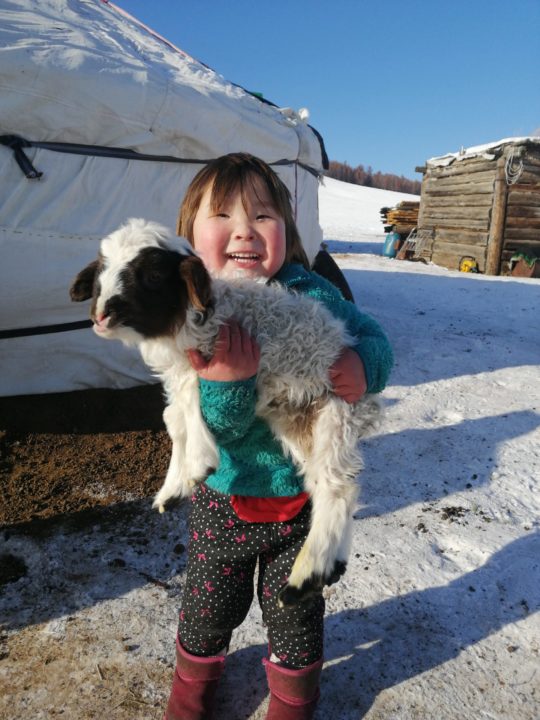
(388, 83)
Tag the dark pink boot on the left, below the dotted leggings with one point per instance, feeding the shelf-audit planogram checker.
(194, 686)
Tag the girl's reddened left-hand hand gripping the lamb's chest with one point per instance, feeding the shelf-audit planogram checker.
(236, 356)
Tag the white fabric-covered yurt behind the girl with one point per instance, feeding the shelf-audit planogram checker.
(101, 119)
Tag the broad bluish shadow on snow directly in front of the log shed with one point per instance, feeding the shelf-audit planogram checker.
(445, 327)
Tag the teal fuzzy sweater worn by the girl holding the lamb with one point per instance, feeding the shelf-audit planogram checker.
(251, 461)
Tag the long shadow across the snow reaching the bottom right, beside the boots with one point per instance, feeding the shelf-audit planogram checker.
(384, 645)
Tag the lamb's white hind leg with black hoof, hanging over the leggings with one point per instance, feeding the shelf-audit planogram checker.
(330, 478)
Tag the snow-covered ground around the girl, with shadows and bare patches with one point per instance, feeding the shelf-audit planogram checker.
(437, 616)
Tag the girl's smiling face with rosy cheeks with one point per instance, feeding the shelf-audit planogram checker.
(244, 235)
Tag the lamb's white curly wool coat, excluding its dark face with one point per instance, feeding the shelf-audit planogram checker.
(299, 341)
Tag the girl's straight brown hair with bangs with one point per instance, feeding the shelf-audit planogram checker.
(229, 174)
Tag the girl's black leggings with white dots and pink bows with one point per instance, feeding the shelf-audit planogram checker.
(222, 558)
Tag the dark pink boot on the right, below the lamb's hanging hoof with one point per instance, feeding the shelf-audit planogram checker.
(293, 693)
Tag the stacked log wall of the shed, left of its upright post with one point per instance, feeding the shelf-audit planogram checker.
(456, 205)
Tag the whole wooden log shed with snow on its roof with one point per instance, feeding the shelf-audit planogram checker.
(482, 202)
